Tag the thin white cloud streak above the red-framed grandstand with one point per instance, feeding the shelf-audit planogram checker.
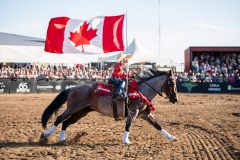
(212, 27)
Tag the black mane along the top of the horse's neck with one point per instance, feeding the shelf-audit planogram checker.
(149, 74)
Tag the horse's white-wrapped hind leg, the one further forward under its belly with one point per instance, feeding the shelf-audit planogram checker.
(71, 120)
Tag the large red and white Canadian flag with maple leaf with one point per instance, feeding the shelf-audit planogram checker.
(99, 35)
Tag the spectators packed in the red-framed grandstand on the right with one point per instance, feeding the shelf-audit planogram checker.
(216, 69)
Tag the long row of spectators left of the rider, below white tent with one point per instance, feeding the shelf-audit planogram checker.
(42, 72)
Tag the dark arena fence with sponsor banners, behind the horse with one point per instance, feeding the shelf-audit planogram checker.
(32, 86)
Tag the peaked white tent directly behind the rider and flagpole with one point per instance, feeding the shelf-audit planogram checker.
(136, 53)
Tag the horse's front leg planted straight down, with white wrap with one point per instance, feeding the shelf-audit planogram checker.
(131, 117)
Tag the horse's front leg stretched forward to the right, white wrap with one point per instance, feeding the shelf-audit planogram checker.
(150, 118)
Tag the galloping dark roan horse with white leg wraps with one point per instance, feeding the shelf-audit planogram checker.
(82, 99)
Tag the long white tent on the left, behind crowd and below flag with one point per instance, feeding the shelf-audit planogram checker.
(22, 49)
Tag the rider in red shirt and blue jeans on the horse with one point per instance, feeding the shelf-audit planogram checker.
(118, 77)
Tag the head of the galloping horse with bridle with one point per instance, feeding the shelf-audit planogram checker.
(170, 87)
